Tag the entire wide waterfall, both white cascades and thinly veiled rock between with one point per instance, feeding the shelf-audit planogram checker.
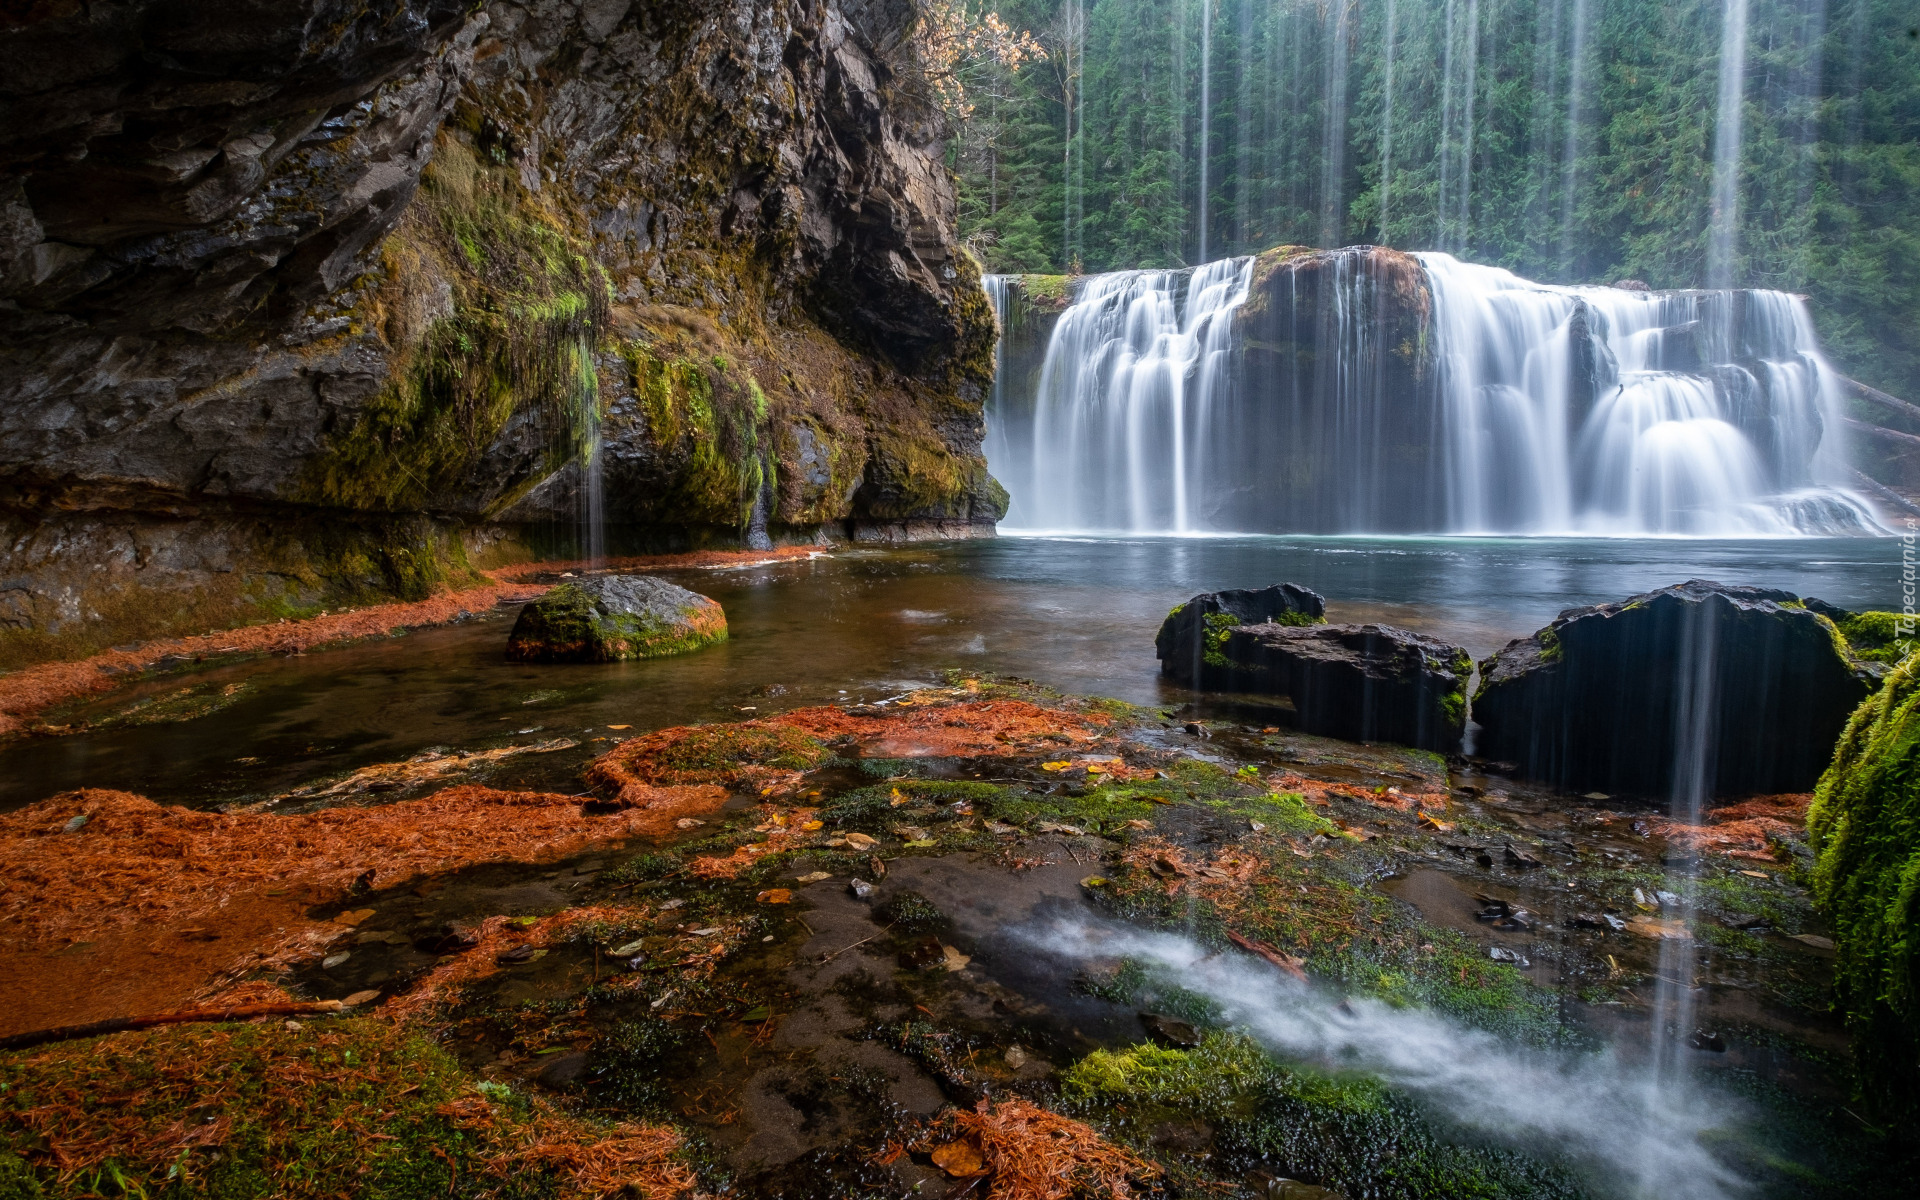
(1499, 406)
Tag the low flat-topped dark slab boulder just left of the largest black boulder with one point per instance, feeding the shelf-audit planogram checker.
(1356, 683)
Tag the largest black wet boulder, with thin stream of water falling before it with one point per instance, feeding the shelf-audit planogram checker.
(1744, 690)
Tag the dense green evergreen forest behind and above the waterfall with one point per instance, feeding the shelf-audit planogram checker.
(1572, 141)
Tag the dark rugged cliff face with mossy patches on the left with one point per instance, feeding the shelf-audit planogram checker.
(306, 302)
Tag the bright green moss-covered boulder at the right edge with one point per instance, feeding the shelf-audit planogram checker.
(1865, 827)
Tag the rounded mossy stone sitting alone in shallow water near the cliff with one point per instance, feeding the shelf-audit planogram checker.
(612, 619)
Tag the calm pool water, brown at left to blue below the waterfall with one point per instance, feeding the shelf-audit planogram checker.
(1074, 613)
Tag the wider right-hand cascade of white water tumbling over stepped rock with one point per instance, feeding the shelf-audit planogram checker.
(1683, 435)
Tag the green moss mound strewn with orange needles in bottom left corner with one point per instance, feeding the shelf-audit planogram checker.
(377, 1128)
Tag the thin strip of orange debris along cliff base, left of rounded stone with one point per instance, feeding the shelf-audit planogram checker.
(39, 688)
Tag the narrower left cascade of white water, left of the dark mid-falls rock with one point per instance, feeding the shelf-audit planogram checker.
(1130, 379)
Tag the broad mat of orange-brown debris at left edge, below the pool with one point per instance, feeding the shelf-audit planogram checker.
(143, 905)
